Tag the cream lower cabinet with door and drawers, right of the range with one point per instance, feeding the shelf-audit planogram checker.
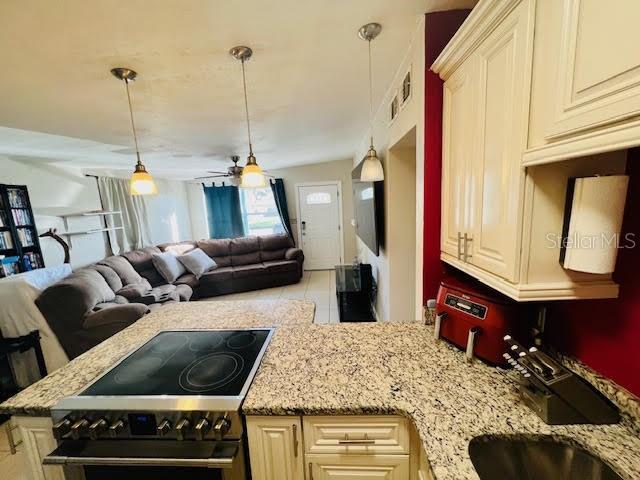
(362, 447)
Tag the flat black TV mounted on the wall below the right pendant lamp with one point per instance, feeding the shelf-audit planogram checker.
(368, 205)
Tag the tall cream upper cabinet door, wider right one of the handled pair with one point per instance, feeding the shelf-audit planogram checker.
(504, 71)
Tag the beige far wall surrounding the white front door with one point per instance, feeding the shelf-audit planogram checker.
(323, 172)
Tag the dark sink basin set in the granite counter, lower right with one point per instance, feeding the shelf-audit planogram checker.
(511, 458)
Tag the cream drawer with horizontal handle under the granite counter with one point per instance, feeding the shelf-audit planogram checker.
(356, 434)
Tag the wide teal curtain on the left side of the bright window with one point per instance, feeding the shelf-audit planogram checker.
(224, 214)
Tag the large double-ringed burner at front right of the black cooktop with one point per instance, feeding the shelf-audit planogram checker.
(210, 372)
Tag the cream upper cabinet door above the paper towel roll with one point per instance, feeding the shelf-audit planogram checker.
(599, 65)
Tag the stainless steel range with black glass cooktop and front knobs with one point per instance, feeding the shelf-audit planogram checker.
(171, 409)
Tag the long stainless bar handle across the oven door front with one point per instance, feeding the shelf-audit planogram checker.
(140, 462)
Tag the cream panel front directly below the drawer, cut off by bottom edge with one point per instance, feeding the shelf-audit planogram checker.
(358, 467)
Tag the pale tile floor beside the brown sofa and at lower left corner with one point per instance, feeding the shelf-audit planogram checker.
(319, 286)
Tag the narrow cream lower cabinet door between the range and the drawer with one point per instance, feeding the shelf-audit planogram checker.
(275, 448)
